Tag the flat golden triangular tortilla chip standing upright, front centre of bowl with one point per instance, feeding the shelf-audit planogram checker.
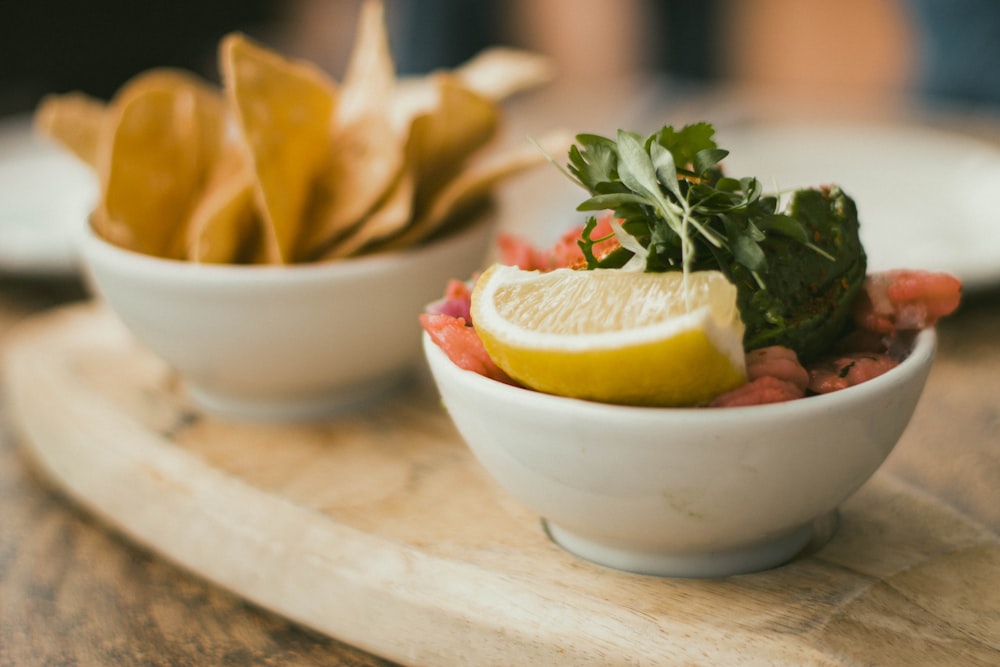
(283, 108)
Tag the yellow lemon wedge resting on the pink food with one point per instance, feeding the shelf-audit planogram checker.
(613, 336)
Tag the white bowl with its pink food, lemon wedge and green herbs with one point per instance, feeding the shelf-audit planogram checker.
(685, 385)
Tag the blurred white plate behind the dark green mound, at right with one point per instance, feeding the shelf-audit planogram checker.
(926, 199)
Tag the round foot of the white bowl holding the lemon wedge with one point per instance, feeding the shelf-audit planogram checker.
(739, 560)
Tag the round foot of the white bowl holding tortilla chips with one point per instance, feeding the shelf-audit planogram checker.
(314, 407)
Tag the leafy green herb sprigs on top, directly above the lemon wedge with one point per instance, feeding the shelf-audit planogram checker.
(673, 199)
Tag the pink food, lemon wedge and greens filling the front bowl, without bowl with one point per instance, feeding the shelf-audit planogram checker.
(710, 297)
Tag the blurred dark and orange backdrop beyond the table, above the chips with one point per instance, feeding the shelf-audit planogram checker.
(942, 50)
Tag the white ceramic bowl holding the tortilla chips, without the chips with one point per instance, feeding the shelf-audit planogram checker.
(283, 342)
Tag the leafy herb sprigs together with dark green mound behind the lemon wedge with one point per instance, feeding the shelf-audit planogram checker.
(796, 268)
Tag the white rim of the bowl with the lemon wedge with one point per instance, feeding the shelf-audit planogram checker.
(920, 358)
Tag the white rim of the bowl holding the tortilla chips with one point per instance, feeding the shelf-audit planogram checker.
(94, 245)
